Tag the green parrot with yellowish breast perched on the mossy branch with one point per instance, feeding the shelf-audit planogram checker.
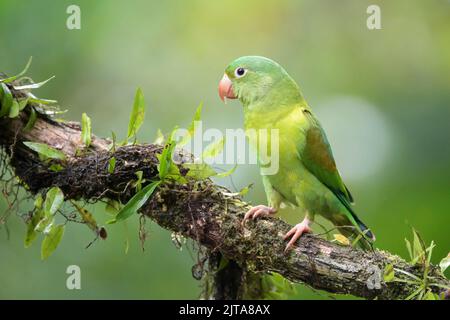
(307, 176)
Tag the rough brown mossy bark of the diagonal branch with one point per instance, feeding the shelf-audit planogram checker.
(200, 210)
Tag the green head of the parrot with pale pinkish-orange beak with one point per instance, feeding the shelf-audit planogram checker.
(252, 78)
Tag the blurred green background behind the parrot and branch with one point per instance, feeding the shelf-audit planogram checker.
(382, 95)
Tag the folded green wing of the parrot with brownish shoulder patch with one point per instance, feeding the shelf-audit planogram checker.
(317, 157)
